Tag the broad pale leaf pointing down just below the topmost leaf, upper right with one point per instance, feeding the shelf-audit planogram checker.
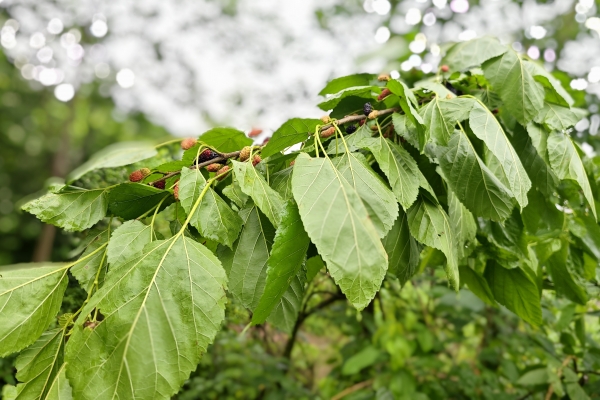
(523, 97)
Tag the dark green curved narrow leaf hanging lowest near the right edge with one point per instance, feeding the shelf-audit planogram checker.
(564, 282)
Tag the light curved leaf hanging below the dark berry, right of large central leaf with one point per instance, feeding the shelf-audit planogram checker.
(399, 167)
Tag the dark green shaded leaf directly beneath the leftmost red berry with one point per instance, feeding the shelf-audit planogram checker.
(131, 200)
